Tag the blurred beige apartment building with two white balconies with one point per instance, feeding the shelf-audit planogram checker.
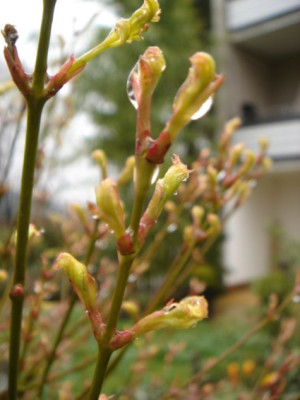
(258, 48)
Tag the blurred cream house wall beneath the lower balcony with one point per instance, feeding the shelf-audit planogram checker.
(247, 250)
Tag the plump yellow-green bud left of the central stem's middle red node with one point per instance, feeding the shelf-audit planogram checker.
(111, 209)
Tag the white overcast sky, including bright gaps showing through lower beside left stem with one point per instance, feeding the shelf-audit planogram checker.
(70, 16)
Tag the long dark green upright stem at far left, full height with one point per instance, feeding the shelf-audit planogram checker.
(35, 104)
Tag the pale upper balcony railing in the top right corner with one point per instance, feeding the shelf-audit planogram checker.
(245, 13)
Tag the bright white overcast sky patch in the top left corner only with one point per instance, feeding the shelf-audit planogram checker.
(70, 16)
